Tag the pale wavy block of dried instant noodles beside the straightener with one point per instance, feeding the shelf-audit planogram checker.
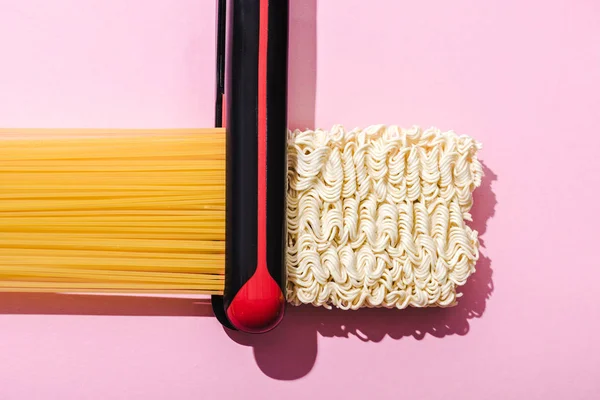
(376, 217)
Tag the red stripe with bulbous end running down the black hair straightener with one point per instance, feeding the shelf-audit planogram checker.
(258, 306)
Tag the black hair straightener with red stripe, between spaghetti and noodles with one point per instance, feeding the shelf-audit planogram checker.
(256, 126)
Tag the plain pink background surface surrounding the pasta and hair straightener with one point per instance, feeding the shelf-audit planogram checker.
(523, 77)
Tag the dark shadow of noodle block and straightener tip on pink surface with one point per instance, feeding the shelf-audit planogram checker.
(297, 336)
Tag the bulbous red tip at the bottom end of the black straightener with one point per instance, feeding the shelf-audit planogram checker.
(259, 305)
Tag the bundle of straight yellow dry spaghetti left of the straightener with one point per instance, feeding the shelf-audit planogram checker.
(116, 211)
